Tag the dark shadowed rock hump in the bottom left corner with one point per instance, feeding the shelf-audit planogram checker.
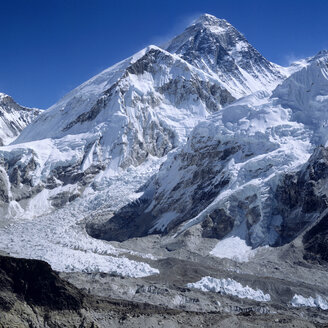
(32, 295)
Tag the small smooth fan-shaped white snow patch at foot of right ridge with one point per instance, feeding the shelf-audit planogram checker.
(233, 248)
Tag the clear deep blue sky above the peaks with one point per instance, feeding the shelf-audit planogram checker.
(48, 47)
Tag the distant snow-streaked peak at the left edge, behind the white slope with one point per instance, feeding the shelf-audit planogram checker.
(13, 118)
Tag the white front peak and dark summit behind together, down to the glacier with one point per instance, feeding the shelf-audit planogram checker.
(139, 109)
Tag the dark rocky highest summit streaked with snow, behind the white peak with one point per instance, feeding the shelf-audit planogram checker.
(216, 47)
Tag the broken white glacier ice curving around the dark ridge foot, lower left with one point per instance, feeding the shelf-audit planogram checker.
(59, 236)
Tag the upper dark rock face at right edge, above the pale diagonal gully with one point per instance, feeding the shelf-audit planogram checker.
(302, 197)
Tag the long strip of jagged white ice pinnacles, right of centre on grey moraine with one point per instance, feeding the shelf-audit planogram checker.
(229, 287)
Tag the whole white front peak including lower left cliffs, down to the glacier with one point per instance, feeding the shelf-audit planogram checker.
(140, 108)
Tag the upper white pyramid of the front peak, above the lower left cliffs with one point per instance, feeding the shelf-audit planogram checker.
(152, 90)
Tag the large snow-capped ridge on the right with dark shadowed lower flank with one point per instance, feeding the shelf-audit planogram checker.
(226, 176)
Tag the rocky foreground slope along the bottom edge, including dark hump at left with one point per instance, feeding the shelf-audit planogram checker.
(32, 295)
